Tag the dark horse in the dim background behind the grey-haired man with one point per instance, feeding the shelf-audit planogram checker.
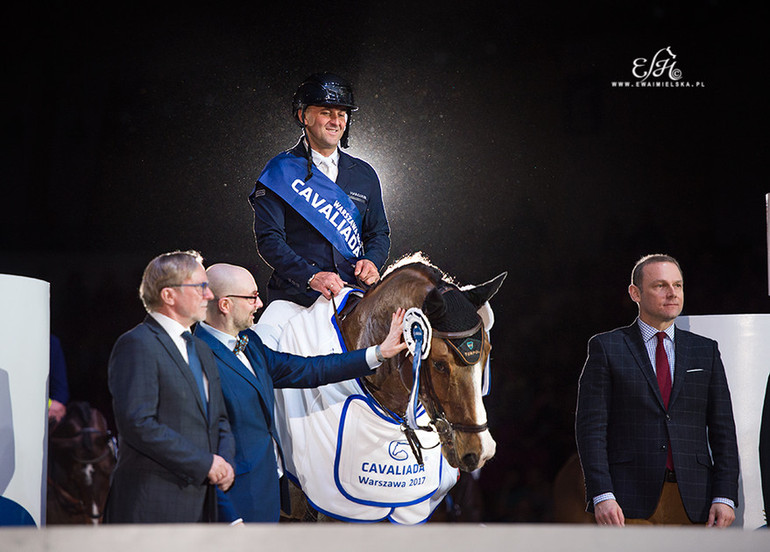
(81, 456)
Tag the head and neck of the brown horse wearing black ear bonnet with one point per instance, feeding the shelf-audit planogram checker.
(450, 381)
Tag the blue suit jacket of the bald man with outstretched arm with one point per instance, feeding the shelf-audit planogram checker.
(256, 495)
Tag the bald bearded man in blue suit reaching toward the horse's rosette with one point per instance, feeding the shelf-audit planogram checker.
(249, 372)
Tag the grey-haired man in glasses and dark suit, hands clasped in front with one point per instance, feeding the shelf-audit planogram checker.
(175, 443)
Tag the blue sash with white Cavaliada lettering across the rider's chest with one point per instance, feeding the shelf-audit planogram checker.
(319, 201)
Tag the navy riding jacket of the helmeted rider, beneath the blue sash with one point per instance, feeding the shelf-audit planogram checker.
(296, 250)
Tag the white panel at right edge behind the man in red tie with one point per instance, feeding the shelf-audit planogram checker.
(744, 341)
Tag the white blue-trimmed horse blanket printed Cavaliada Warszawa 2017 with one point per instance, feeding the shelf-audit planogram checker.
(346, 453)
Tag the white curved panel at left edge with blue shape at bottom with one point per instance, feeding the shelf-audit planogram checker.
(24, 365)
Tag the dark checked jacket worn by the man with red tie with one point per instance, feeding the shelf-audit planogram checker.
(623, 429)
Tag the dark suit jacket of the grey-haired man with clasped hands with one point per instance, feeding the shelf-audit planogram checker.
(166, 442)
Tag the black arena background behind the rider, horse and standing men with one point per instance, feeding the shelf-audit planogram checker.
(499, 139)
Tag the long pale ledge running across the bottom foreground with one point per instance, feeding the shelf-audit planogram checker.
(339, 537)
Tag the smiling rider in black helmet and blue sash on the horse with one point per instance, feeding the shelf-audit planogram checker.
(319, 219)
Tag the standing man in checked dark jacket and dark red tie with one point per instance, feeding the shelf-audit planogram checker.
(654, 422)
